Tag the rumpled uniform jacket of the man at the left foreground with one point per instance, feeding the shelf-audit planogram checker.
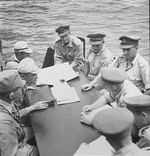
(11, 132)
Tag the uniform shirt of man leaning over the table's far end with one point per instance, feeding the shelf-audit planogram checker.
(72, 52)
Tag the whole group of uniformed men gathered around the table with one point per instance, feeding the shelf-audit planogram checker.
(125, 80)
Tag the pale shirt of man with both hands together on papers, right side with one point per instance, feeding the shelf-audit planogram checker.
(128, 90)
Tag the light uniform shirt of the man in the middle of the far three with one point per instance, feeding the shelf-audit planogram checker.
(98, 61)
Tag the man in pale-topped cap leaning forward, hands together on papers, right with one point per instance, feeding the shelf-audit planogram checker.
(118, 87)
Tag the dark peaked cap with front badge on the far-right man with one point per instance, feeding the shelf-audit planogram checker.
(128, 41)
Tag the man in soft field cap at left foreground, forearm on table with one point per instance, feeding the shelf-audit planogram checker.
(11, 130)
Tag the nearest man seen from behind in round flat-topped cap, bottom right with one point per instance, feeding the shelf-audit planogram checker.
(115, 124)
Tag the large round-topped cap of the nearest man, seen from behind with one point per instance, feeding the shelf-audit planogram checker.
(114, 123)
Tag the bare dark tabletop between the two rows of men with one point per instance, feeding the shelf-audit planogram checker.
(58, 129)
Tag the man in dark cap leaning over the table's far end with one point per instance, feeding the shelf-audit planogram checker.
(68, 48)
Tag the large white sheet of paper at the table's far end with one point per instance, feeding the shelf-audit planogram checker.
(52, 75)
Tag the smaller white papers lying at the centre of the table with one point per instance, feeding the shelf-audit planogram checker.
(64, 94)
